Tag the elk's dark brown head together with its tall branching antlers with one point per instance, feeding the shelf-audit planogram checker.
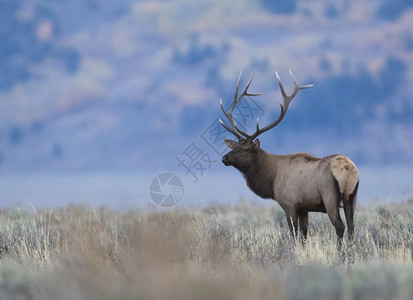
(244, 152)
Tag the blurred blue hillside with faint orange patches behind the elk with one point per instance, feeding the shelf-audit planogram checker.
(93, 85)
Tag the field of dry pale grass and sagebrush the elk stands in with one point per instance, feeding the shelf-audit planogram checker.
(218, 252)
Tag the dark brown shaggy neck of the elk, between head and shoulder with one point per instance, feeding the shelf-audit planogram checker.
(260, 175)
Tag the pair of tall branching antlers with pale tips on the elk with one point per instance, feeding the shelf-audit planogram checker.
(284, 107)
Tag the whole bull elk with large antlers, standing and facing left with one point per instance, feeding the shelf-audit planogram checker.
(300, 183)
